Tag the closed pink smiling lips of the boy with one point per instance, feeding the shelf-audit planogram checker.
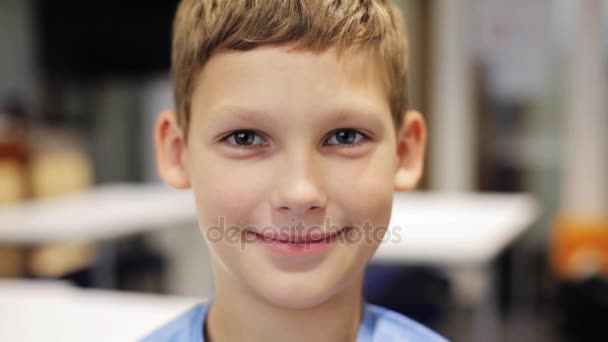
(299, 245)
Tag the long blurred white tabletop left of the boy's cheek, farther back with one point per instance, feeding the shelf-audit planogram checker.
(103, 212)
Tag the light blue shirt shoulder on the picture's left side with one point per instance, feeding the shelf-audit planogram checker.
(188, 326)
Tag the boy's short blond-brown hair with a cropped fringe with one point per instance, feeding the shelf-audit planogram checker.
(202, 27)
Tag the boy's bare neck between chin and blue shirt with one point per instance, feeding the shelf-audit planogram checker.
(237, 314)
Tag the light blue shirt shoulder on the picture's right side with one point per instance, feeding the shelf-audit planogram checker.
(382, 324)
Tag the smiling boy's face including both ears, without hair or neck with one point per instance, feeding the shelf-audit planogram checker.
(299, 140)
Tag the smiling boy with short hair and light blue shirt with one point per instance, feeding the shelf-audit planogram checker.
(291, 128)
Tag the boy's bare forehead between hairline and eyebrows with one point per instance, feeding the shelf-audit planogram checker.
(275, 79)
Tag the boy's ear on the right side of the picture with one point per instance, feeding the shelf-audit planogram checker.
(411, 147)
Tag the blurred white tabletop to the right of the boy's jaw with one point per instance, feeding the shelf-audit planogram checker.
(451, 229)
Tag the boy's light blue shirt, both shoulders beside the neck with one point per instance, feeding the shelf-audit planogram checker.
(379, 325)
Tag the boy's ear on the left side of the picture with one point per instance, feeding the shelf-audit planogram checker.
(171, 151)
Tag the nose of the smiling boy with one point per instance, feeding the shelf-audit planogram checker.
(298, 189)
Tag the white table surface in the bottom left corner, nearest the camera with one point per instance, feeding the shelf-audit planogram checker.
(53, 311)
